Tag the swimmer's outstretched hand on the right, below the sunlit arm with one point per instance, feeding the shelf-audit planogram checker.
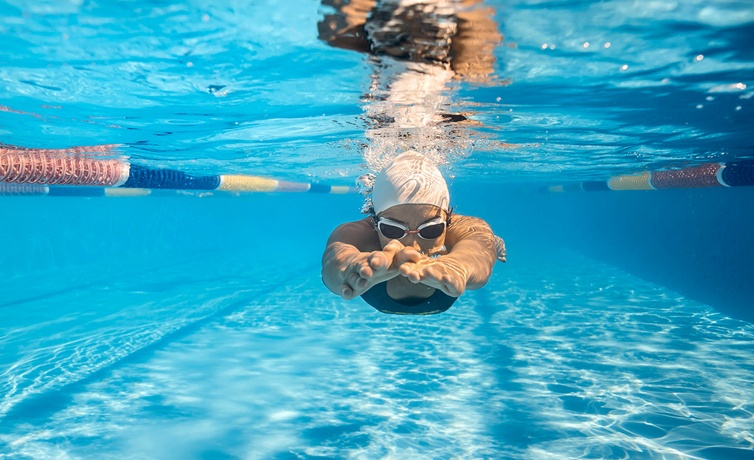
(441, 273)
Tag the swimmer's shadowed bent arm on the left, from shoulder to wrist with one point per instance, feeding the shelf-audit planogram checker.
(347, 243)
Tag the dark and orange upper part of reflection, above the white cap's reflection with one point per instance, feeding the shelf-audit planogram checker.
(459, 36)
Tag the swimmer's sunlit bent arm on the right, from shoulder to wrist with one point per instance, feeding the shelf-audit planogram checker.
(472, 248)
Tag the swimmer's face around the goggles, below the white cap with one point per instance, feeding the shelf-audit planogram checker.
(412, 216)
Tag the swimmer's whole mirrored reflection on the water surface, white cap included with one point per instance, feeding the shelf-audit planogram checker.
(416, 50)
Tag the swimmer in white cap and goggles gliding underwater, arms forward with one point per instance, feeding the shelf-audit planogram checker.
(412, 255)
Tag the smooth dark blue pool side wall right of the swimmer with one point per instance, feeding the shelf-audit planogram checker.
(697, 242)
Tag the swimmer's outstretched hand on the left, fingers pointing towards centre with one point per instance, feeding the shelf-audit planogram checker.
(367, 269)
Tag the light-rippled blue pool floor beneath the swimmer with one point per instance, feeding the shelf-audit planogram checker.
(557, 357)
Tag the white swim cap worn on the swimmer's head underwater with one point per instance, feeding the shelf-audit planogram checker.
(409, 179)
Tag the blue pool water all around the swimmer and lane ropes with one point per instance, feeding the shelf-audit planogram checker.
(197, 326)
